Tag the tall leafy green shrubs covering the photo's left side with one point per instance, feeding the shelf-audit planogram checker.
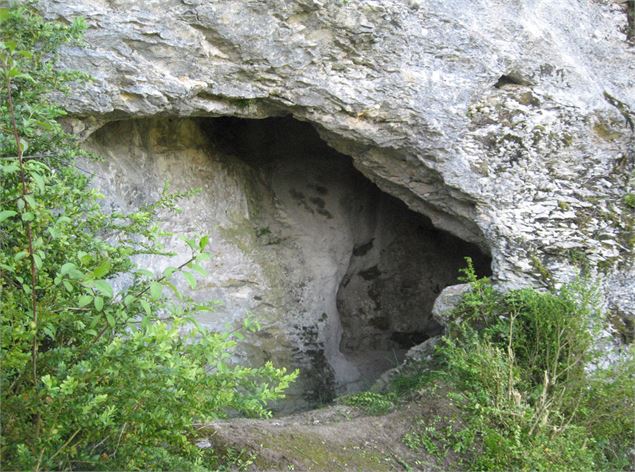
(103, 365)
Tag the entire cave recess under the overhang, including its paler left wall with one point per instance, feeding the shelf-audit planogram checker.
(341, 275)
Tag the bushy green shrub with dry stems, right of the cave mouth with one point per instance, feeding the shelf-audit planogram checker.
(522, 369)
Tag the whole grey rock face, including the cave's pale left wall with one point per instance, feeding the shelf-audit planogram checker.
(507, 124)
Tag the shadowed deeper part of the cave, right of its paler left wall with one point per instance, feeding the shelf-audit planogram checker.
(362, 269)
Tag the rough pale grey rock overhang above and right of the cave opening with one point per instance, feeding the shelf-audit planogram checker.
(509, 124)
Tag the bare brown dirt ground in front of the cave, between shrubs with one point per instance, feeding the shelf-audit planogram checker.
(336, 438)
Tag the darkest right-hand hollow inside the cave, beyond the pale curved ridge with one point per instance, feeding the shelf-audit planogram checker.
(398, 267)
